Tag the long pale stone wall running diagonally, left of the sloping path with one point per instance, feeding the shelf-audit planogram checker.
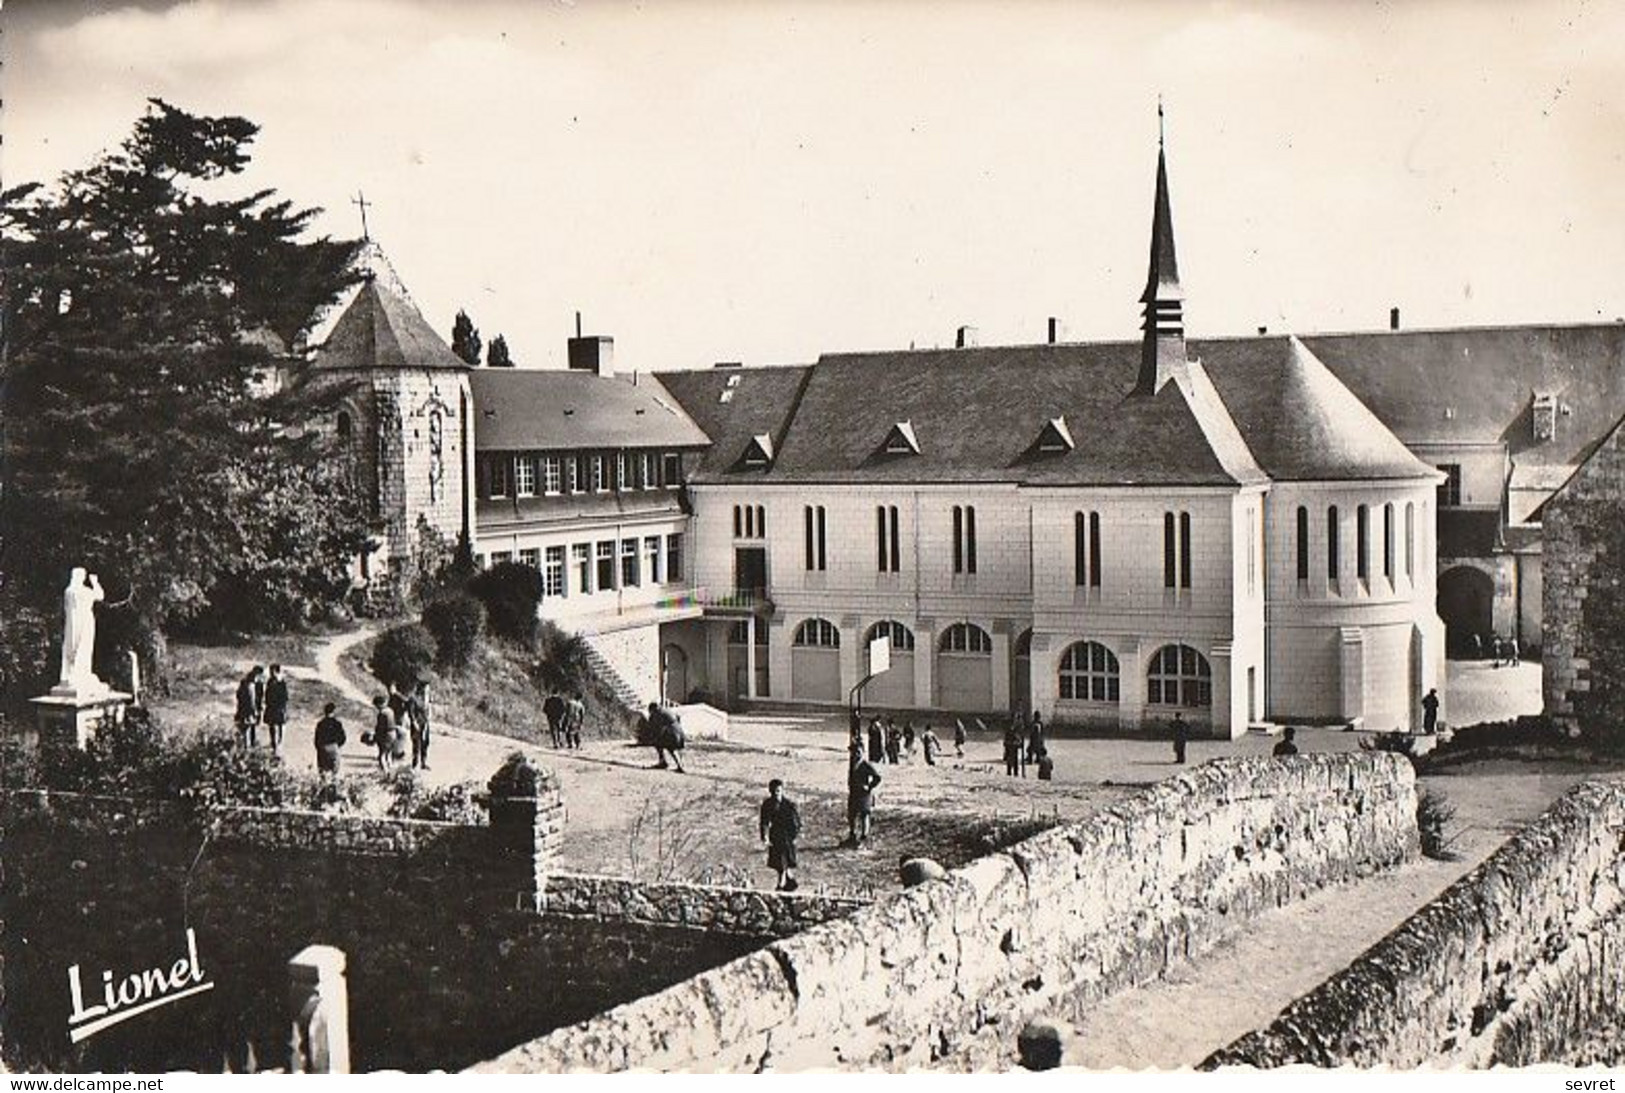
(1070, 915)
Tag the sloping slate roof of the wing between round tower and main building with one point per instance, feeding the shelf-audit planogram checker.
(534, 410)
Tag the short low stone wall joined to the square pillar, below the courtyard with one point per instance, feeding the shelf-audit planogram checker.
(740, 912)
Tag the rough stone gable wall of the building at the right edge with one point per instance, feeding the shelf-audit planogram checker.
(1580, 522)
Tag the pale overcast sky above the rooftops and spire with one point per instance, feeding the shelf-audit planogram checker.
(766, 183)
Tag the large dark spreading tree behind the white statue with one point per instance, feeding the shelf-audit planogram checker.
(145, 434)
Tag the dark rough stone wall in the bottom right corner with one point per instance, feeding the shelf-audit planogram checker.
(1512, 966)
